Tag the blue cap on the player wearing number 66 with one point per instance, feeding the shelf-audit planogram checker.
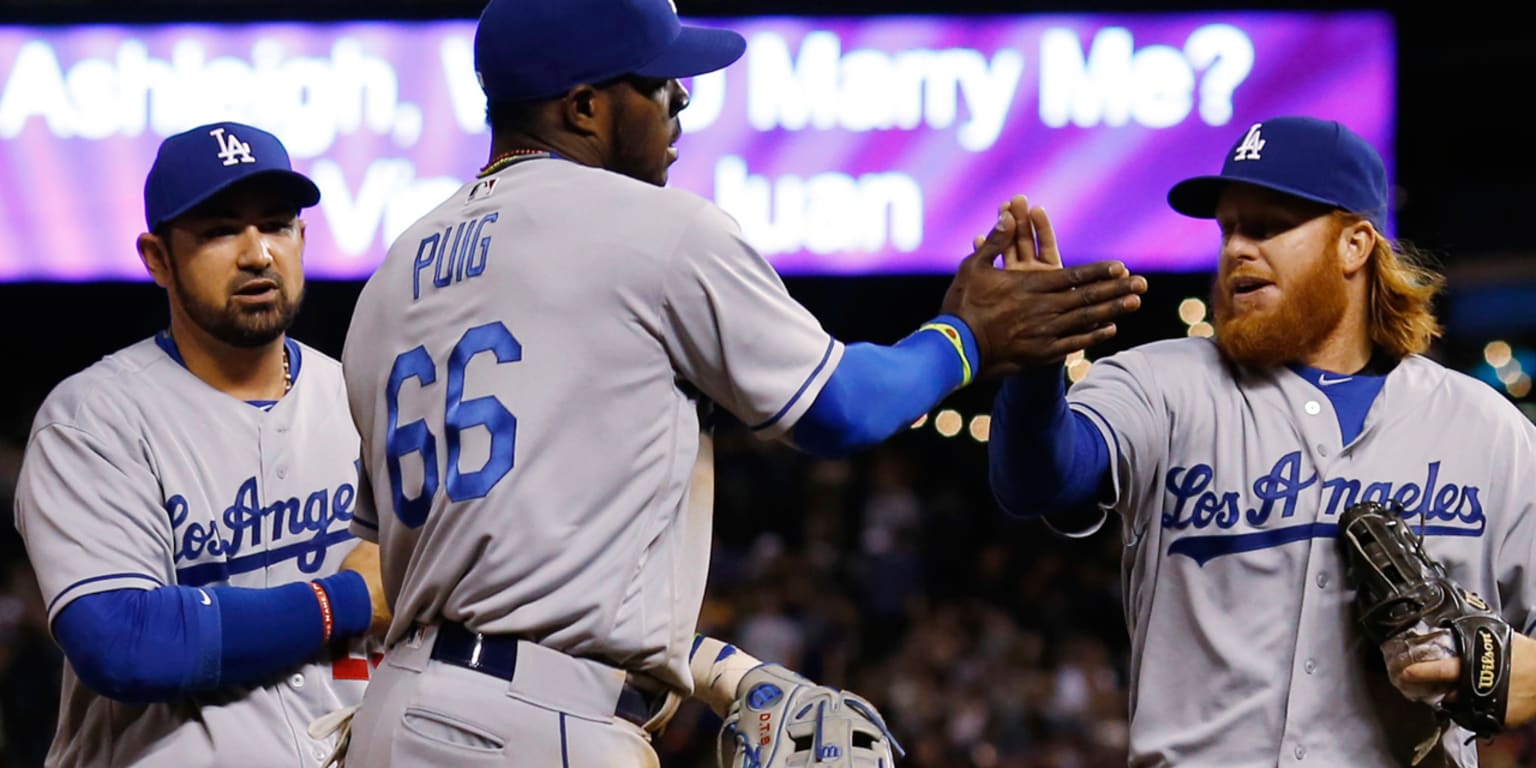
(535, 50)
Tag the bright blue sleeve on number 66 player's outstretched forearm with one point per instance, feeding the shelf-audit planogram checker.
(878, 391)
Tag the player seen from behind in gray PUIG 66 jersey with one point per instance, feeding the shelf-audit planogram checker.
(534, 372)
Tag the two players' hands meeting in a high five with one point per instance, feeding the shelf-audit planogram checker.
(1036, 313)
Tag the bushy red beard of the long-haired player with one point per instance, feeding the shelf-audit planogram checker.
(1308, 313)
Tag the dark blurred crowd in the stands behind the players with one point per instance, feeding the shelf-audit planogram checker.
(988, 643)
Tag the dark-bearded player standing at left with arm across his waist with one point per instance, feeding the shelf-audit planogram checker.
(187, 500)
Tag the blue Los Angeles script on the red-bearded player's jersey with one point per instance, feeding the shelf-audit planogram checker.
(1197, 505)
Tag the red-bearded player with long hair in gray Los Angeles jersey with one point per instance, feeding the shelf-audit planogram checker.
(1231, 462)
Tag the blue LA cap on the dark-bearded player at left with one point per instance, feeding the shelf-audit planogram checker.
(204, 162)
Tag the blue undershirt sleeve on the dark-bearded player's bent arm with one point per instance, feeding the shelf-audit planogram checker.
(159, 646)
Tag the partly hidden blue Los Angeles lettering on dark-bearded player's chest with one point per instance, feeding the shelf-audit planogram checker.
(291, 529)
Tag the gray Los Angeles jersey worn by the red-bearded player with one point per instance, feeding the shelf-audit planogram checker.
(1245, 644)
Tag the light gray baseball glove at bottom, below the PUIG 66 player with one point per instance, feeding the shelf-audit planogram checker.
(781, 720)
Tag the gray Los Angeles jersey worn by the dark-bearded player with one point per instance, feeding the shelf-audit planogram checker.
(139, 475)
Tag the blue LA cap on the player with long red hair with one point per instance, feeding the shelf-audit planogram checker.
(1319, 161)
